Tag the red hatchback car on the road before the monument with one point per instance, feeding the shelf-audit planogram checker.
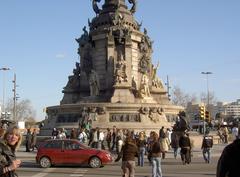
(56, 152)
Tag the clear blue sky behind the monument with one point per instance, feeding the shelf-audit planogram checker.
(37, 40)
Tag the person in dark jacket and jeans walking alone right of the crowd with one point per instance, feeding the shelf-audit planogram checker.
(207, 144)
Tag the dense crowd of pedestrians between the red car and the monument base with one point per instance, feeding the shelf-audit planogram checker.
(127, 145)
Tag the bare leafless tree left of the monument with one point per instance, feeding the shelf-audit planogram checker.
(24, 110)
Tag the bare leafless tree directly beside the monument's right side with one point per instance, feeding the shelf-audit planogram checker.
(180, 98)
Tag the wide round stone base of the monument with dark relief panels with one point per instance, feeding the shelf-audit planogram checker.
(138, 117)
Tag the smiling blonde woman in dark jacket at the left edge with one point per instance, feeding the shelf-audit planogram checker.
(8, 145)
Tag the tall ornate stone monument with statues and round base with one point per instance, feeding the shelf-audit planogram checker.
(115, 82)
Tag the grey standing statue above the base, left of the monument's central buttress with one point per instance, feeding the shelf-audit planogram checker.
(94, 83)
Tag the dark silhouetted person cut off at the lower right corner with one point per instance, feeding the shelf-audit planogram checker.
(228, 163)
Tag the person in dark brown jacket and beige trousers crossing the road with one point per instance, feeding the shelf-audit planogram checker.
(128, 153)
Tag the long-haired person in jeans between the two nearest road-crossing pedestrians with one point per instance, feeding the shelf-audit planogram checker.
(141, 143)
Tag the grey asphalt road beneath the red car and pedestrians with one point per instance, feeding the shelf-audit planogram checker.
(170, 167)
